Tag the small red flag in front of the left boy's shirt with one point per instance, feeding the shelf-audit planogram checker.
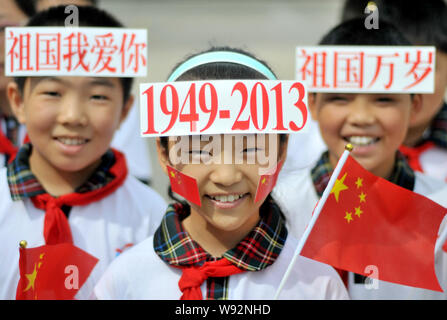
(53, 272)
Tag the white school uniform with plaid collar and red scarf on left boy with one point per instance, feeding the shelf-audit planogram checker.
(125, 216)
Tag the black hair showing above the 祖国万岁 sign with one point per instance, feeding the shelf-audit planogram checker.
(353, 32)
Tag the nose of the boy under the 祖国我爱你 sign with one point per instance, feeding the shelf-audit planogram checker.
(72, 112)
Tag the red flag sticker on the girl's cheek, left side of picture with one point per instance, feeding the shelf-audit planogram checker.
(184, 185)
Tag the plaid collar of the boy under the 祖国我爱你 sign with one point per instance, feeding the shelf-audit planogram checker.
(23, 184)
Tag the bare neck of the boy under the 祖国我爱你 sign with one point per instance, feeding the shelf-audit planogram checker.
(57, 182)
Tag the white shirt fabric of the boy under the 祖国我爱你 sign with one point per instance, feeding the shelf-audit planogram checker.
(127, 216)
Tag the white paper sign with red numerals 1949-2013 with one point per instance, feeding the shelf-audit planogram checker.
(222, 106)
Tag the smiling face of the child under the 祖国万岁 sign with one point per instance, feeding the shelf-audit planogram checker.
(375, 124)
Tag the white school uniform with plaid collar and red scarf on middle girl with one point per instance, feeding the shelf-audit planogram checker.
(161, 266)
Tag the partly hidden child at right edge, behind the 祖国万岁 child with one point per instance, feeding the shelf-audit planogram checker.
(425, 144)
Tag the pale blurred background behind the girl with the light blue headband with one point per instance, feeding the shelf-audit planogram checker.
(177, 28)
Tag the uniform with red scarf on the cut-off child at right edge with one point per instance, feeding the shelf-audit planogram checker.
(430, 155)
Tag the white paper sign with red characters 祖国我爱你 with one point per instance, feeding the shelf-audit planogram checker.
(85, 51)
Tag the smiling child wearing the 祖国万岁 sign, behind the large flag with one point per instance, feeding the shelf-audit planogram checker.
(375, 124)
